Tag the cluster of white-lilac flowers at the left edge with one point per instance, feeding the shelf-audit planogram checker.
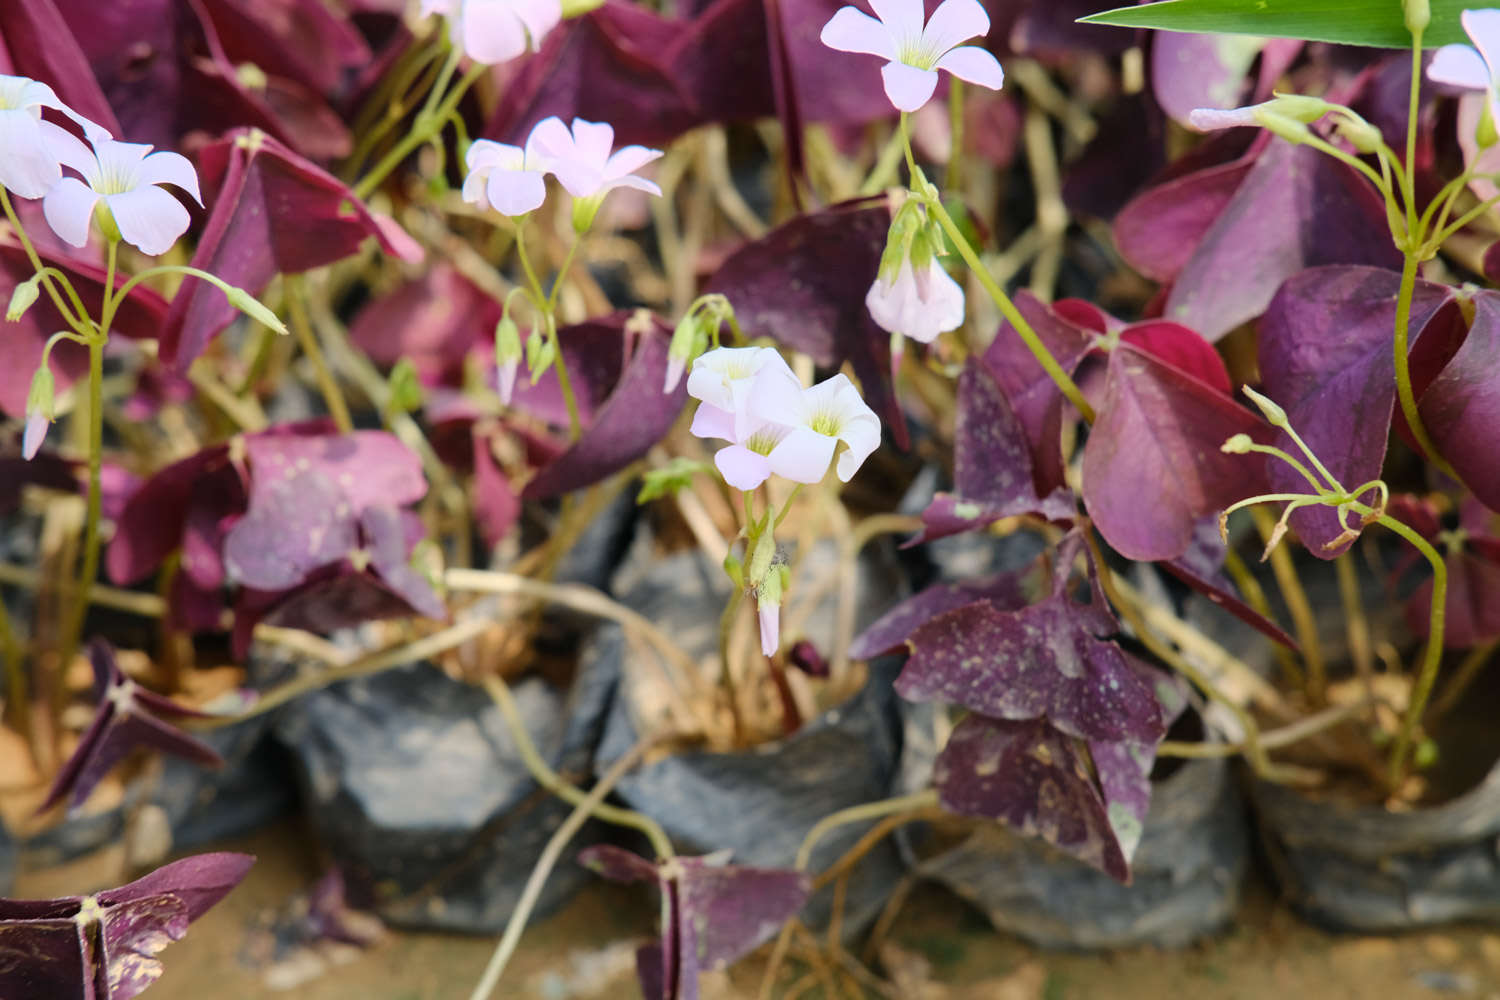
(119, 179)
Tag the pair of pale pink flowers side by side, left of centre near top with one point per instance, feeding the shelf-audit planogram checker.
(512, 179)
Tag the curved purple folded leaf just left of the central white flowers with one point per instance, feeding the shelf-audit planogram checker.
(631, 422)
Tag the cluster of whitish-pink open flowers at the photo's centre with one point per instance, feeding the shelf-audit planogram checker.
(752, 400)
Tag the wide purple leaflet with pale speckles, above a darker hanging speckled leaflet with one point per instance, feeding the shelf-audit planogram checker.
(1031, 665)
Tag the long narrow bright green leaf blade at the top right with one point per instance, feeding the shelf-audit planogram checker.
(1378, 23)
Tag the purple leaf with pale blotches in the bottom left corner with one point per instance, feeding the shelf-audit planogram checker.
(104, 947)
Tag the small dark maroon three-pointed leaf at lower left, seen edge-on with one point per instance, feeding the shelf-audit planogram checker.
(125, 719)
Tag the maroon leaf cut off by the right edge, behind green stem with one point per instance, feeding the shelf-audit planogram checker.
(1462, 407)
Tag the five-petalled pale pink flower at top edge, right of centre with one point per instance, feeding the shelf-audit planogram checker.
(914, 52)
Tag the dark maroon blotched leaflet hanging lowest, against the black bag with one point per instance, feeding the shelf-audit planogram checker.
(1036, 780)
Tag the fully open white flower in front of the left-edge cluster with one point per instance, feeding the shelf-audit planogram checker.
(127, 178)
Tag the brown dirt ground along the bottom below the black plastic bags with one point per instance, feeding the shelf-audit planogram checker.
(943, 951)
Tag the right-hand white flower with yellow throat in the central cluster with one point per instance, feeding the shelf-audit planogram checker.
(817, 419)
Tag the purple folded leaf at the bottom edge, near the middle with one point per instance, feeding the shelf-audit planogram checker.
(713, 914)
